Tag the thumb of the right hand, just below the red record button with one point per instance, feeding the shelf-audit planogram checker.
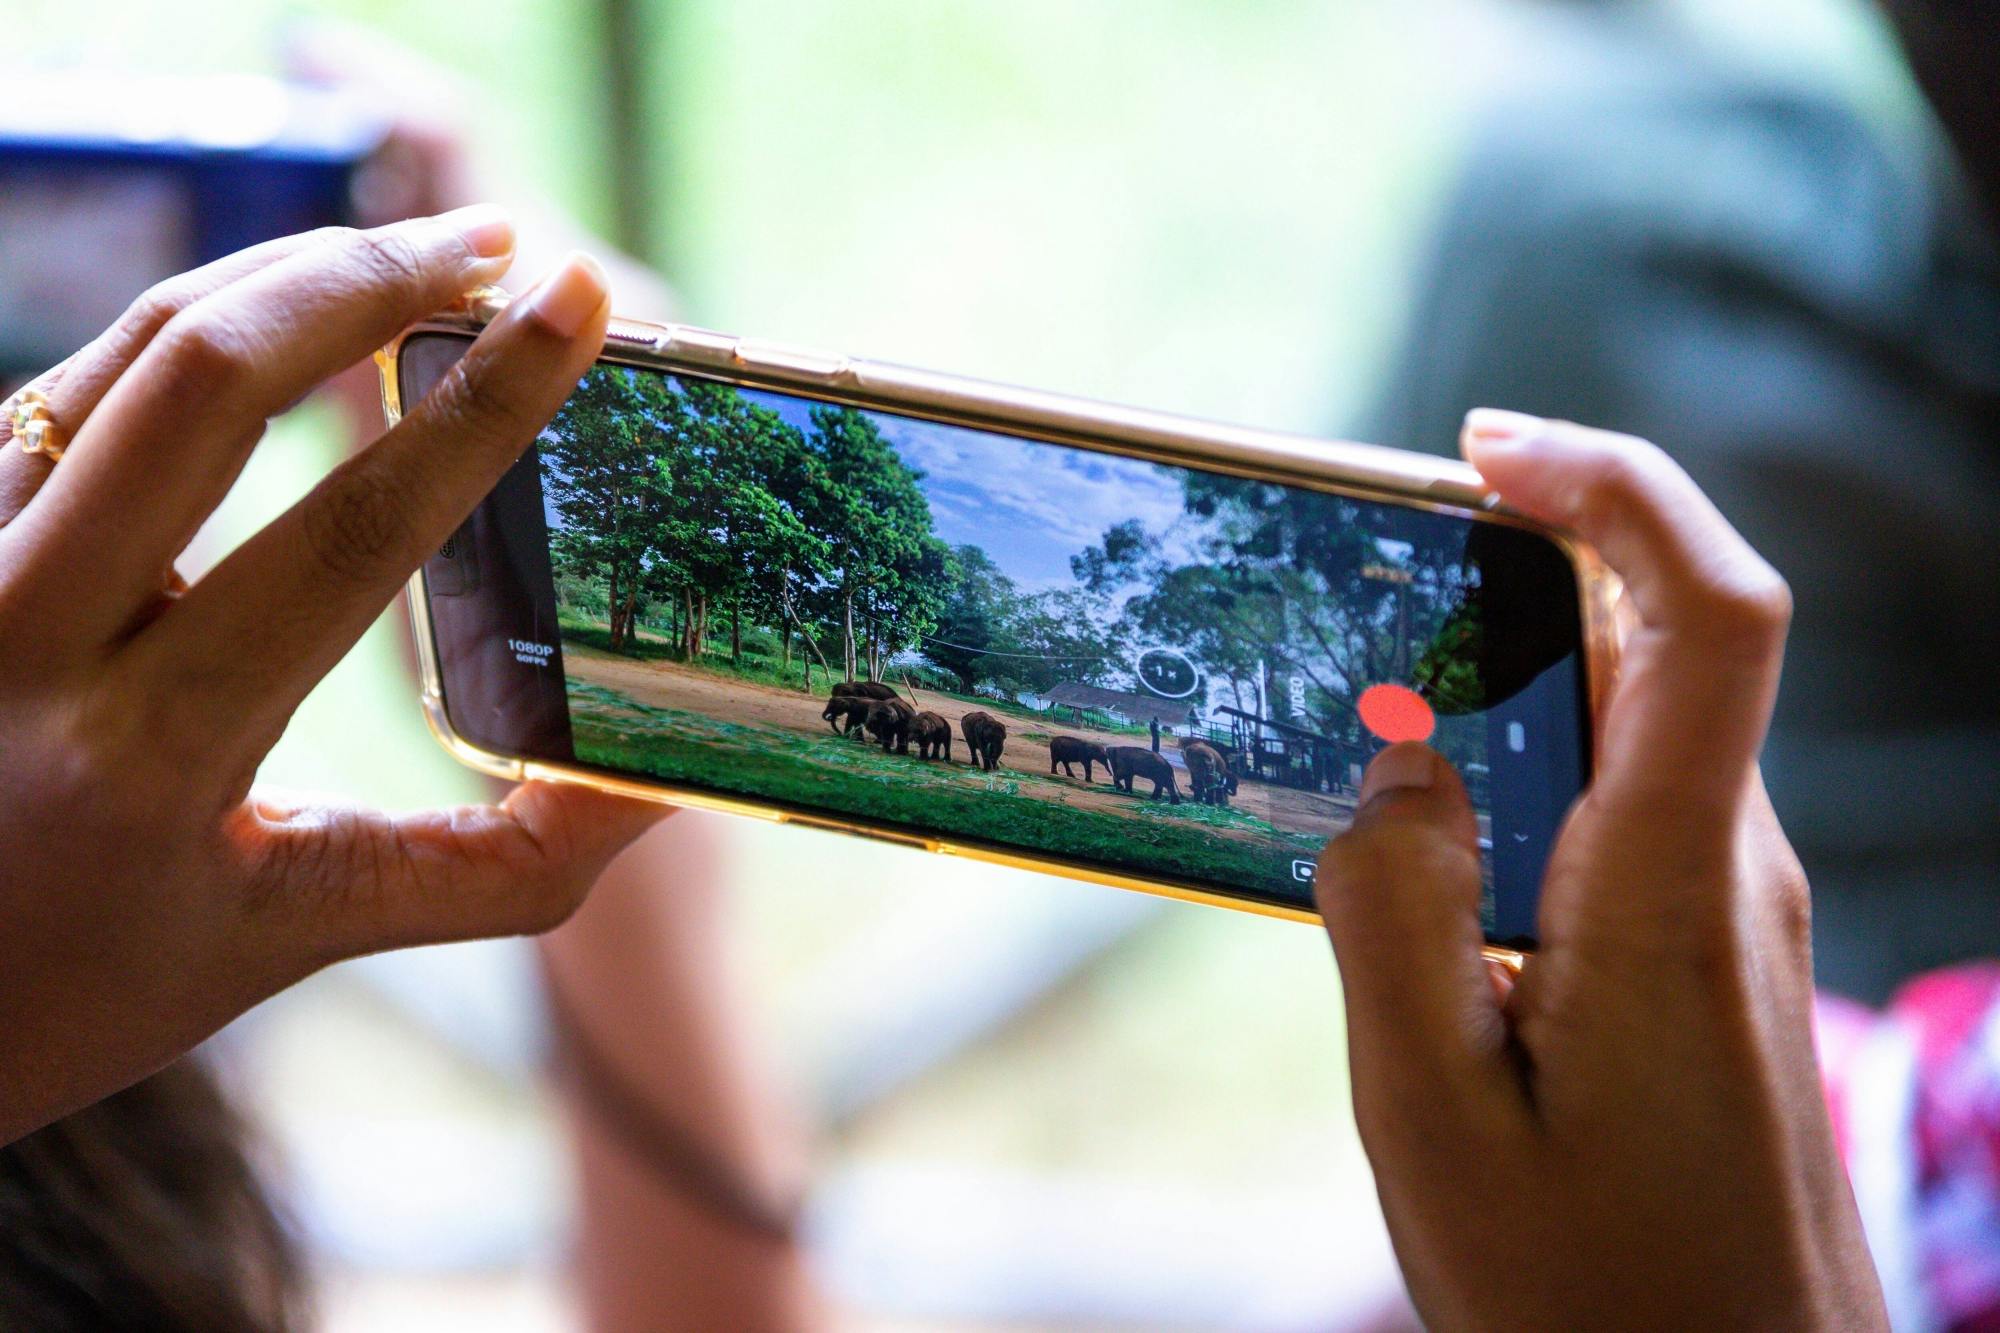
(1401, 896)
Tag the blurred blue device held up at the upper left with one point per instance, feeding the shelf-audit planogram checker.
(111, 183)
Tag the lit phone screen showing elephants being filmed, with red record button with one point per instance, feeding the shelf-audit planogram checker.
(997, 639)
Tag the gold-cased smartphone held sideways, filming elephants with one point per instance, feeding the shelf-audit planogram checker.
(997, 623)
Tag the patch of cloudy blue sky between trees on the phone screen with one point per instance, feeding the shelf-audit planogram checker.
(1029, 505)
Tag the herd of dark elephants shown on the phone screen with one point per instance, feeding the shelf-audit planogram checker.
(877, 712)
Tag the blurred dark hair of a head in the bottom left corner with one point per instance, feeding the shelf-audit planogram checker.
(143, 1214)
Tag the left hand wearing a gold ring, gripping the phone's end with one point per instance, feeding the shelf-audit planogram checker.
(147, 890)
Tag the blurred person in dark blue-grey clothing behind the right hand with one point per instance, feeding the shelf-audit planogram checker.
(1809, 317)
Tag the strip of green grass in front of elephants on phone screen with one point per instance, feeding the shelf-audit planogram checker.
(853, 778)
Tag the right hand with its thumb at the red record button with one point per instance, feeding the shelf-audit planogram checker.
(1633, 1134)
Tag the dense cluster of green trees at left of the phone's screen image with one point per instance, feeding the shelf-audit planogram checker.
(689, 497)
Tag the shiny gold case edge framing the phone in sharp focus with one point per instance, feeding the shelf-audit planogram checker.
(1359, 471)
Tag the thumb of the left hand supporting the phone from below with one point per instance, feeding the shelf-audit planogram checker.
(369, 882)
